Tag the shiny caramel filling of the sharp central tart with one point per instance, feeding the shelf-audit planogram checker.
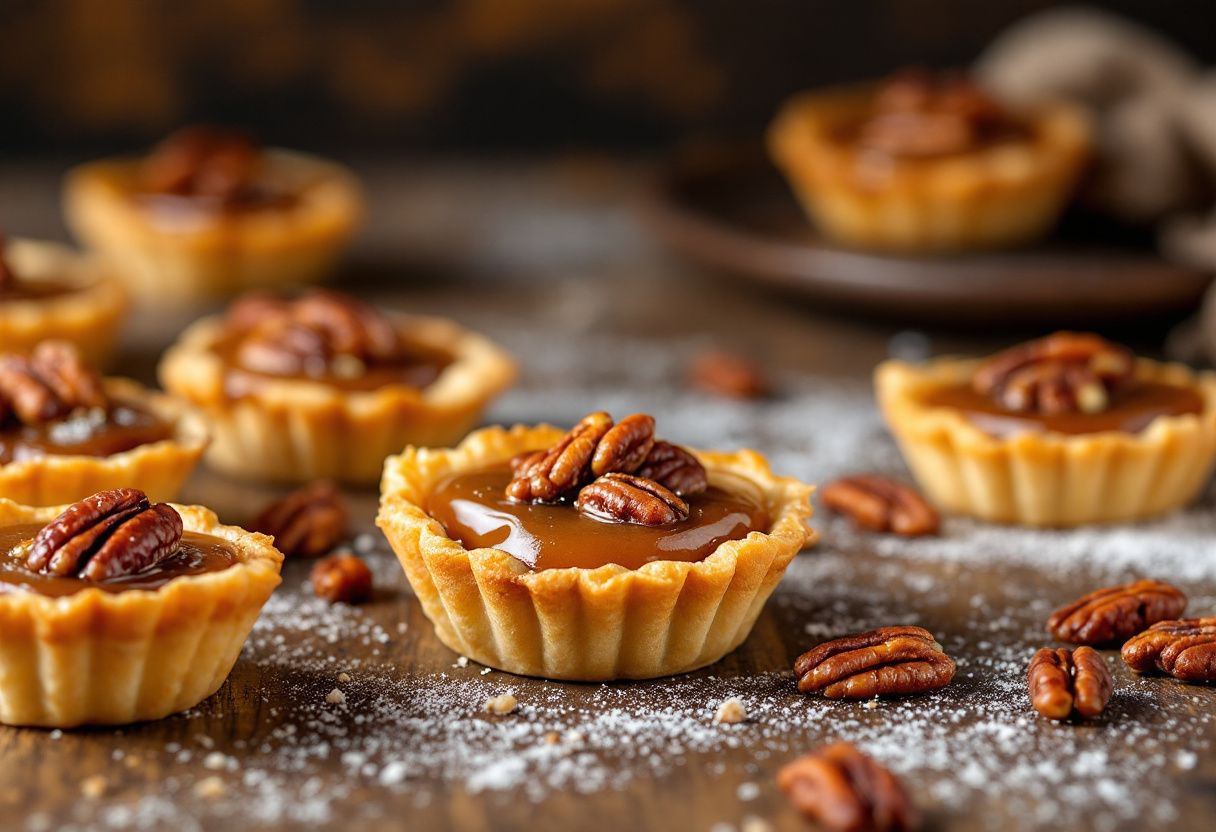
(474, 510)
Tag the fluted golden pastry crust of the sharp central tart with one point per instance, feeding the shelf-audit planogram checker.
(586, 625)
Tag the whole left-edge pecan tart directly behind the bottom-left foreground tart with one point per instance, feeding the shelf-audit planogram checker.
(66, 432)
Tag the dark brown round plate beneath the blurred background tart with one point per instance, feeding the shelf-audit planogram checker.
(729, 210)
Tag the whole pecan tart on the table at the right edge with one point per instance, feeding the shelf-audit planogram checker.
(1062, 431)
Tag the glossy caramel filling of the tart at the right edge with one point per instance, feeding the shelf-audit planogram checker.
(1131, 411)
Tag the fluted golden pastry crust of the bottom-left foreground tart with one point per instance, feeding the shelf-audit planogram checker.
(110, 659)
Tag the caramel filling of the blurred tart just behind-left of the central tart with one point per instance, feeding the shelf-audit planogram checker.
(420, 368)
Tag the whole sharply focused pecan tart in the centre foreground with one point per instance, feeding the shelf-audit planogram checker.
(595, 554)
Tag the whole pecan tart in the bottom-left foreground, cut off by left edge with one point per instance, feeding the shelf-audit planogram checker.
(119, 610)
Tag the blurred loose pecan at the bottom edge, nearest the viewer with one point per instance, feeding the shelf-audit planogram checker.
(842, 790)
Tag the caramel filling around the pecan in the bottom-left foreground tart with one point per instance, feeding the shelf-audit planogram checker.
(196, 554)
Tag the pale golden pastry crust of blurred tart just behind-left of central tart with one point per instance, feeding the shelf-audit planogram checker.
(295, 430)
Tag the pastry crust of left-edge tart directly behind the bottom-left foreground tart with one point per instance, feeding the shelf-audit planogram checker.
(157, 469)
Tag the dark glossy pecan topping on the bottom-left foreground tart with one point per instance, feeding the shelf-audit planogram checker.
(106, 536)
